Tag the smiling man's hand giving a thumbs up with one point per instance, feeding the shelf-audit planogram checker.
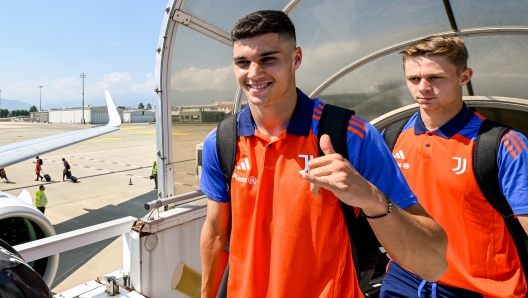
(335, 173)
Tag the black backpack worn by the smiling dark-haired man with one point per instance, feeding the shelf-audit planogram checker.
(333, 122)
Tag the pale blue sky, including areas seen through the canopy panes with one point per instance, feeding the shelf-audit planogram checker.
(50, 43)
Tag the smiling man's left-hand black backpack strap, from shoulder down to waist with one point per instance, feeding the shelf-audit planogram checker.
(226, 145)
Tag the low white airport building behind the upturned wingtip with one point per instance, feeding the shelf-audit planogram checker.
(92, 115)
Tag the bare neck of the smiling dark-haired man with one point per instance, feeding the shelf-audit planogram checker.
(272, 120)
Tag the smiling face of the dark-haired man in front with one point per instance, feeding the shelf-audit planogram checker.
(265, 68)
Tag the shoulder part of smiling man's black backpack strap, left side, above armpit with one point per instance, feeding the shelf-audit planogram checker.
(226, 134)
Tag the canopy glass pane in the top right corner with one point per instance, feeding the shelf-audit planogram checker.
(487, 13)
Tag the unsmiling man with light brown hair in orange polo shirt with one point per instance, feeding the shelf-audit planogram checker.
(438, 145)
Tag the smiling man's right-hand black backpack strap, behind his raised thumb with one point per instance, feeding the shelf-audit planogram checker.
(334, 122)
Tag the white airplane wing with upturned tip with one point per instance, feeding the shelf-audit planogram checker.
(17, 152)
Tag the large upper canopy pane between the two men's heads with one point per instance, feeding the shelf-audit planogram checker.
(336, 33)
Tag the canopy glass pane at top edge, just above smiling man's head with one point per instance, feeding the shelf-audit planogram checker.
(223, 15)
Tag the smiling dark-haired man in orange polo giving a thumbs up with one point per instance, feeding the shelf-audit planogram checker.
(282, 213)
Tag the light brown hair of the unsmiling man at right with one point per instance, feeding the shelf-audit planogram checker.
(450, 47)
